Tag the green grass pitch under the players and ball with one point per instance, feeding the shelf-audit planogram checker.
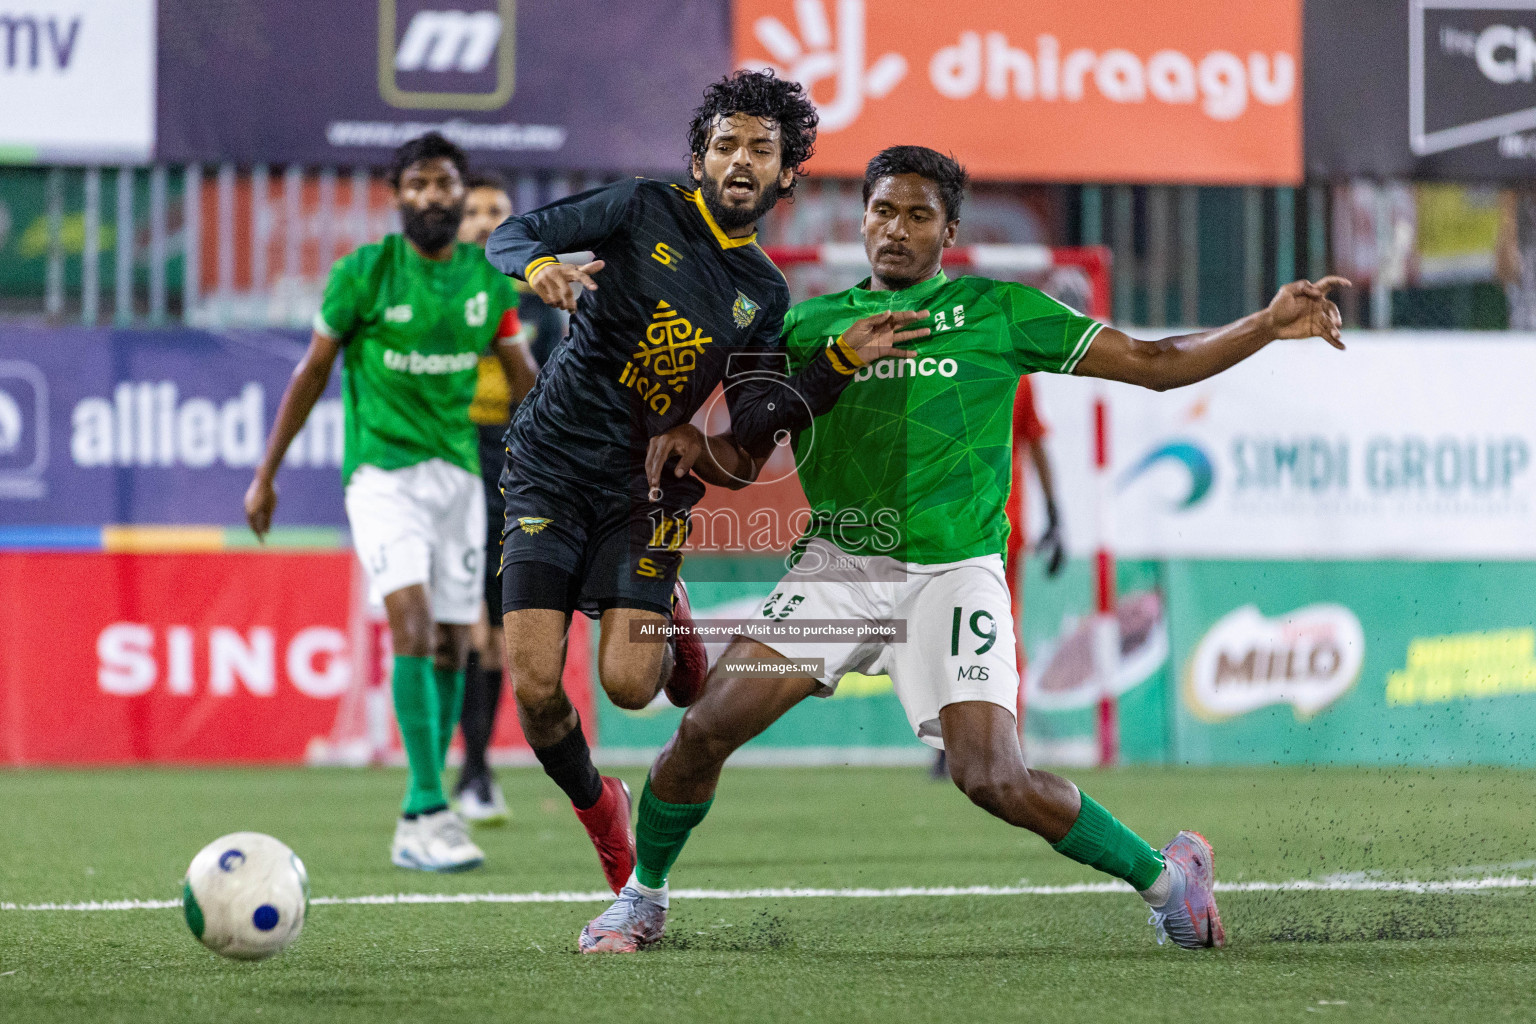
(1039, 959)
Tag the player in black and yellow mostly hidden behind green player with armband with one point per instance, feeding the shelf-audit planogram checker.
(480, 802)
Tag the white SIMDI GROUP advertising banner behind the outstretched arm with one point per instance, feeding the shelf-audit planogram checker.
(1414, 446)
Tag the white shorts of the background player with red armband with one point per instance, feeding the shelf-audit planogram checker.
(425, 524)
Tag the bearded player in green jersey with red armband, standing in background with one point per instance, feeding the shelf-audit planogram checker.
(411, 317)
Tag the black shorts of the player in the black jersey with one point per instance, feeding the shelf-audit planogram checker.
(606, 549)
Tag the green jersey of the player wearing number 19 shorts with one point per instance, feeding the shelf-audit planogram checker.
(915, 461)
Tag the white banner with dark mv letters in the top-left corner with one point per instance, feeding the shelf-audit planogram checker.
(78, 81)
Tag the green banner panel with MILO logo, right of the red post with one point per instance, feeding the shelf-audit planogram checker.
(1357, 662)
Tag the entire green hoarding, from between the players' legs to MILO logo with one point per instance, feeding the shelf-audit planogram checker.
(1223, 662)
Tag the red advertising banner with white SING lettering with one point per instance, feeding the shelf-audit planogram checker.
(171, 658)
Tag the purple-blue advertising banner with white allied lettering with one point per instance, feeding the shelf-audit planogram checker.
(156, 428)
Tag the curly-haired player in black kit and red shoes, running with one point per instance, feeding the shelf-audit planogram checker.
(677, 302)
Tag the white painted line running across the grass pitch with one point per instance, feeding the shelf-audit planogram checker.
(1297, 885)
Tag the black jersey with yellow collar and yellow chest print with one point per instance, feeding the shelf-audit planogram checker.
(680, 309)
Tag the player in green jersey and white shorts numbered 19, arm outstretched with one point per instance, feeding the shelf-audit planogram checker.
(907, 478)
